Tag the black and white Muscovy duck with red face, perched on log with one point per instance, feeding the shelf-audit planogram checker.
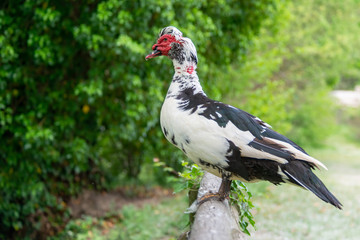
(224, 140)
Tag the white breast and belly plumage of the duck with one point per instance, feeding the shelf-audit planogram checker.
(198, 137)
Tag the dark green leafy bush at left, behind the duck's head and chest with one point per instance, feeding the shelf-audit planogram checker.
(78, 103)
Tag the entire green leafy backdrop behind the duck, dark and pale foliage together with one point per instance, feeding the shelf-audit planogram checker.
(79, 106)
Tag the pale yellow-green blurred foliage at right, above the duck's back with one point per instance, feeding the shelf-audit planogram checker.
(293, 64)
